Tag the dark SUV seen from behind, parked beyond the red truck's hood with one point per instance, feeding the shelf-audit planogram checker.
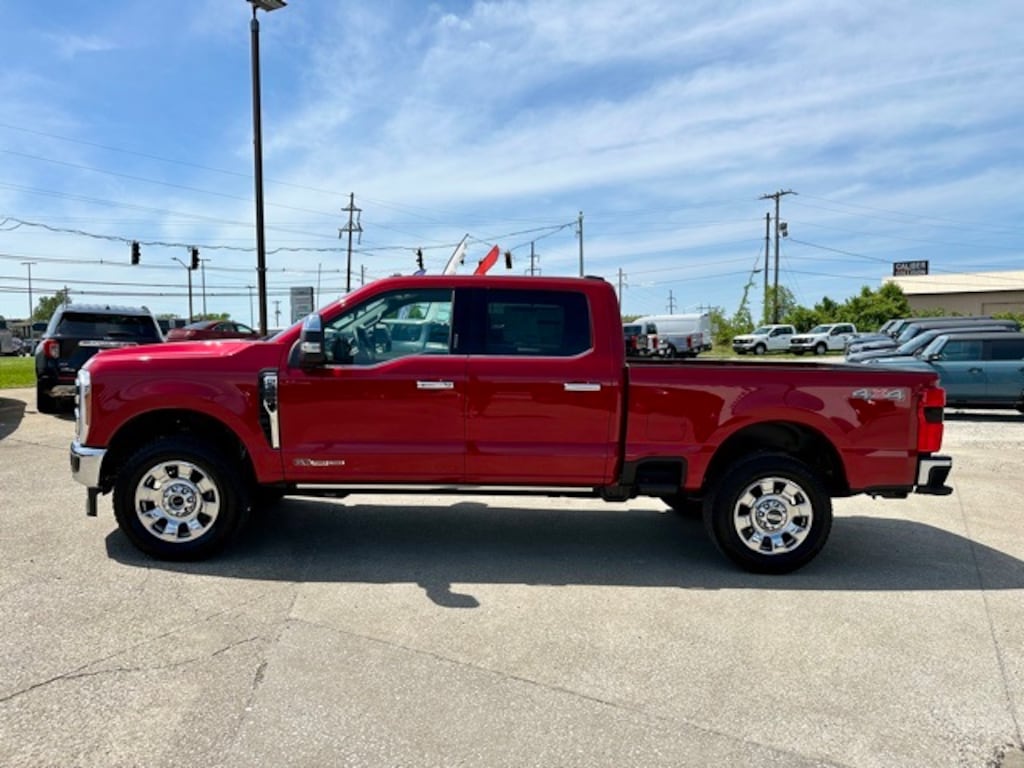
(75, 333)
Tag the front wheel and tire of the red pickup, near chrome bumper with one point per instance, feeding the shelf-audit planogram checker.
(180, 500)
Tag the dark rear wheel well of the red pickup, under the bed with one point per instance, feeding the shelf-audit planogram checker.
(797, 441)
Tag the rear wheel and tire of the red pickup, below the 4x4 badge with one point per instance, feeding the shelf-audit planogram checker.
(770, 515)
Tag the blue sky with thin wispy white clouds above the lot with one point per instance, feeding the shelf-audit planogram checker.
(898, 125)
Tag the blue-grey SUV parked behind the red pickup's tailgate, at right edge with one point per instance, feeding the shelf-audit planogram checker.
(984, 369)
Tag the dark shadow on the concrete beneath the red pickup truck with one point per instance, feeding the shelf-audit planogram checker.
(315, 541)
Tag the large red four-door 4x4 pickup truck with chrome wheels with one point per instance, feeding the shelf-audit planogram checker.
(456, 385)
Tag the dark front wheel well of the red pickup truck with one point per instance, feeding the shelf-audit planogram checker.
(158, 424)
